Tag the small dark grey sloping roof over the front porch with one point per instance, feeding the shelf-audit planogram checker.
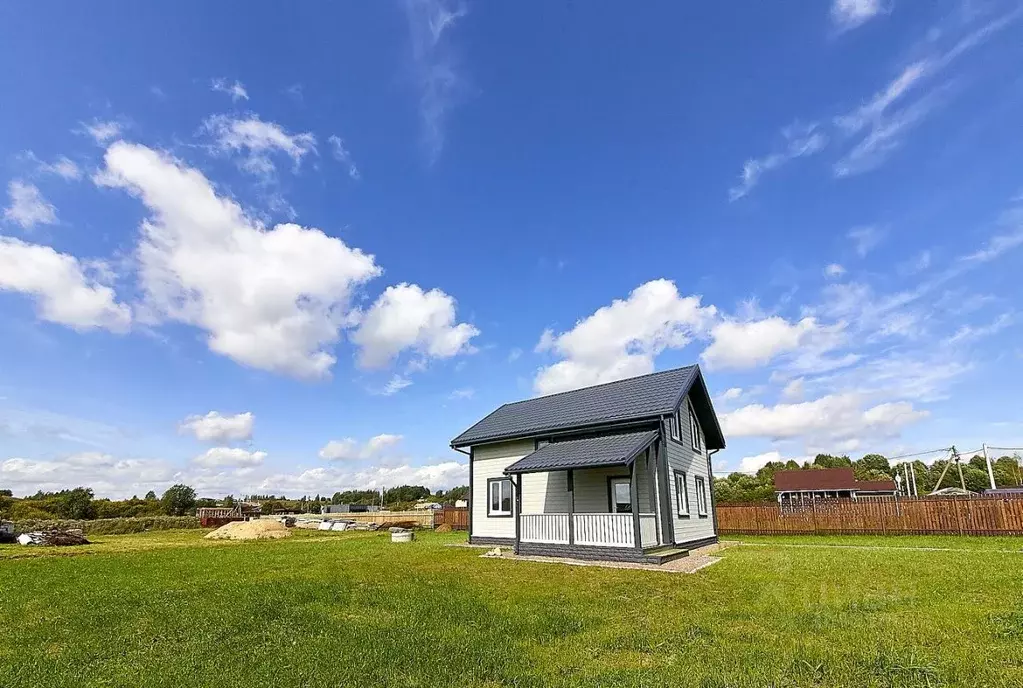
(609, 450)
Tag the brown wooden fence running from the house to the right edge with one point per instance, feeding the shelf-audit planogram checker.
(977, 516)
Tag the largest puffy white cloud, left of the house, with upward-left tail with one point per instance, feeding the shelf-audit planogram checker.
(274, 300)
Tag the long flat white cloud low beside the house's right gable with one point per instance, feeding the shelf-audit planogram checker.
(833, 418)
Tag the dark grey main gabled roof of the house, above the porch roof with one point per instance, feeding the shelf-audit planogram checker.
(633, 399)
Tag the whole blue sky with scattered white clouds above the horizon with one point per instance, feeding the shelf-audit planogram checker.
(297, 253)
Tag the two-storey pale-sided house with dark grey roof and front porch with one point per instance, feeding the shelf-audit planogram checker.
(614, 472)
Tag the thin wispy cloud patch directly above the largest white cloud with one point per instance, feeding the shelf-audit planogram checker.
(257, 141)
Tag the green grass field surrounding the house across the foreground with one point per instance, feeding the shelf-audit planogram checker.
(339, 610)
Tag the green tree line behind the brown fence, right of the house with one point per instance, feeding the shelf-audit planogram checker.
(745, 488)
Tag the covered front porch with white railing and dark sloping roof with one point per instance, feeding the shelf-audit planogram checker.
(595, 497)
